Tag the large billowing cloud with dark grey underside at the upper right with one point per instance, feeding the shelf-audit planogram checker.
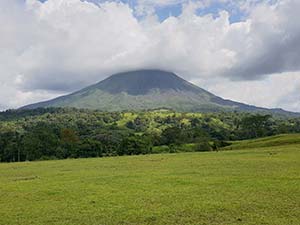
(272, 42)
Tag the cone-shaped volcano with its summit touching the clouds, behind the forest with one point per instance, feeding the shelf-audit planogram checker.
(148, 89)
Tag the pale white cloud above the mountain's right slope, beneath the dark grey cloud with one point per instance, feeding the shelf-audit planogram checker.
(276, 91)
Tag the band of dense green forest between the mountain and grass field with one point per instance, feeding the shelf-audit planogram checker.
(74, 133)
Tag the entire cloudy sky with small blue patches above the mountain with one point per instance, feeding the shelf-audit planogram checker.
(243, 50)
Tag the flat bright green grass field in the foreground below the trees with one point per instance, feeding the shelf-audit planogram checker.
(259, 185)
